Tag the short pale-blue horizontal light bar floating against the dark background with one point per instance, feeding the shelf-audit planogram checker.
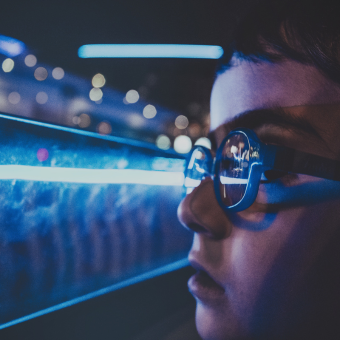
(150, 51)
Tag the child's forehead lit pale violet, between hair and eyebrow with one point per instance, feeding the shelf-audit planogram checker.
(249, 86)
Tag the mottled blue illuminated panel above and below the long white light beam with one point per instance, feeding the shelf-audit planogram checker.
(60, 241)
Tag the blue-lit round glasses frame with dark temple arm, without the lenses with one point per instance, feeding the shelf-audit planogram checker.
(266, 157)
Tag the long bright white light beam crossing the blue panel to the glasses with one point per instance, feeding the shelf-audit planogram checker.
(80, 175)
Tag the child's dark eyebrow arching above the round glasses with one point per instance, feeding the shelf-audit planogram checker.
(257, 118)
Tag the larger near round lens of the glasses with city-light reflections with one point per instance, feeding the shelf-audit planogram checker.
(234, 169)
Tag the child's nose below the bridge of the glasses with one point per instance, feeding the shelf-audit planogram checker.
(199, 211)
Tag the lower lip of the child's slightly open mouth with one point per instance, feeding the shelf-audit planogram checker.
(204, 288)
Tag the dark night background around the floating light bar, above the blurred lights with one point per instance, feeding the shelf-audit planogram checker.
(54, 30)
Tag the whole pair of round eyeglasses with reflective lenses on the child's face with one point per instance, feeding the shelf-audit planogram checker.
(240, 162)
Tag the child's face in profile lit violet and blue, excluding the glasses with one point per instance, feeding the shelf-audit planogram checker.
(254, 266)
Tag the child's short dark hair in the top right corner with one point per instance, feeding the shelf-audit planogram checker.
(305, 31)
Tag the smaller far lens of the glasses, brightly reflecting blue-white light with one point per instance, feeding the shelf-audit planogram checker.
(198, 168)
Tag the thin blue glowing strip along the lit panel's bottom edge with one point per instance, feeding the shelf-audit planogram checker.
(148, 275)
